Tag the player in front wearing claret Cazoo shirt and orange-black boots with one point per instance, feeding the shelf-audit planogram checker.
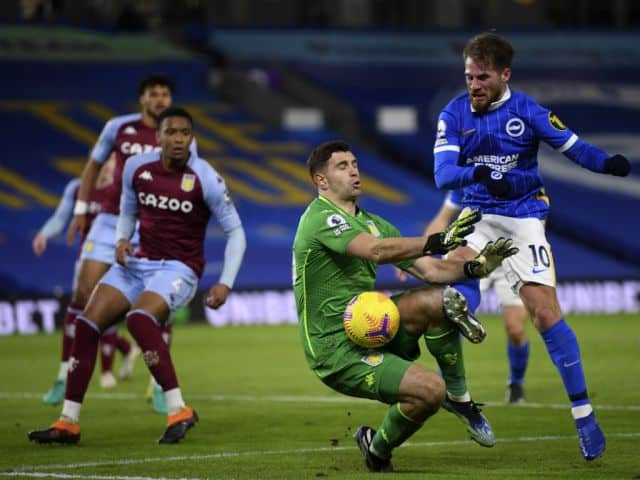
(173, 194)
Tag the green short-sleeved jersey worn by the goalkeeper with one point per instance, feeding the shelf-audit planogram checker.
(325, 278)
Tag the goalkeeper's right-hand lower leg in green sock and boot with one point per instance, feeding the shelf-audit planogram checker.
(445, 345)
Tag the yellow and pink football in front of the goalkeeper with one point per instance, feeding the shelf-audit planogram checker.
(371, 319)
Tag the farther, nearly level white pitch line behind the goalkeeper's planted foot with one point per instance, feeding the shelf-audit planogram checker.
(306, 399)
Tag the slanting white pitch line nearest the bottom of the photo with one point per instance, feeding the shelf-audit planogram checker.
(215, 456)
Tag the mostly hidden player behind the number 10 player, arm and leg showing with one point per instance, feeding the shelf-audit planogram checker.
(513, 311)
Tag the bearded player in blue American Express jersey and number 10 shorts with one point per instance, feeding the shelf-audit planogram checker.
(487, 143)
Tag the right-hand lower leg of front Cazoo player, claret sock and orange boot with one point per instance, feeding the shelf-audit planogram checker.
(146, 333)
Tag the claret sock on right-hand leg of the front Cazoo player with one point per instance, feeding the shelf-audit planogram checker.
(148, 336)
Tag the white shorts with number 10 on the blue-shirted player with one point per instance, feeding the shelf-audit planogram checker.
(533, 263)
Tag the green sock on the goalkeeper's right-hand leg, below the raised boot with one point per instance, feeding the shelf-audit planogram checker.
(445, 345)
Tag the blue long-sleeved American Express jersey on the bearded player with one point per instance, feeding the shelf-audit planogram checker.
(506, 139)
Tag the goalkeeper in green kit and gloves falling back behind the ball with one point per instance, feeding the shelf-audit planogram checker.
(335, 255)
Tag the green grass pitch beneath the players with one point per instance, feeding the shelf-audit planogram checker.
(264, 414)
